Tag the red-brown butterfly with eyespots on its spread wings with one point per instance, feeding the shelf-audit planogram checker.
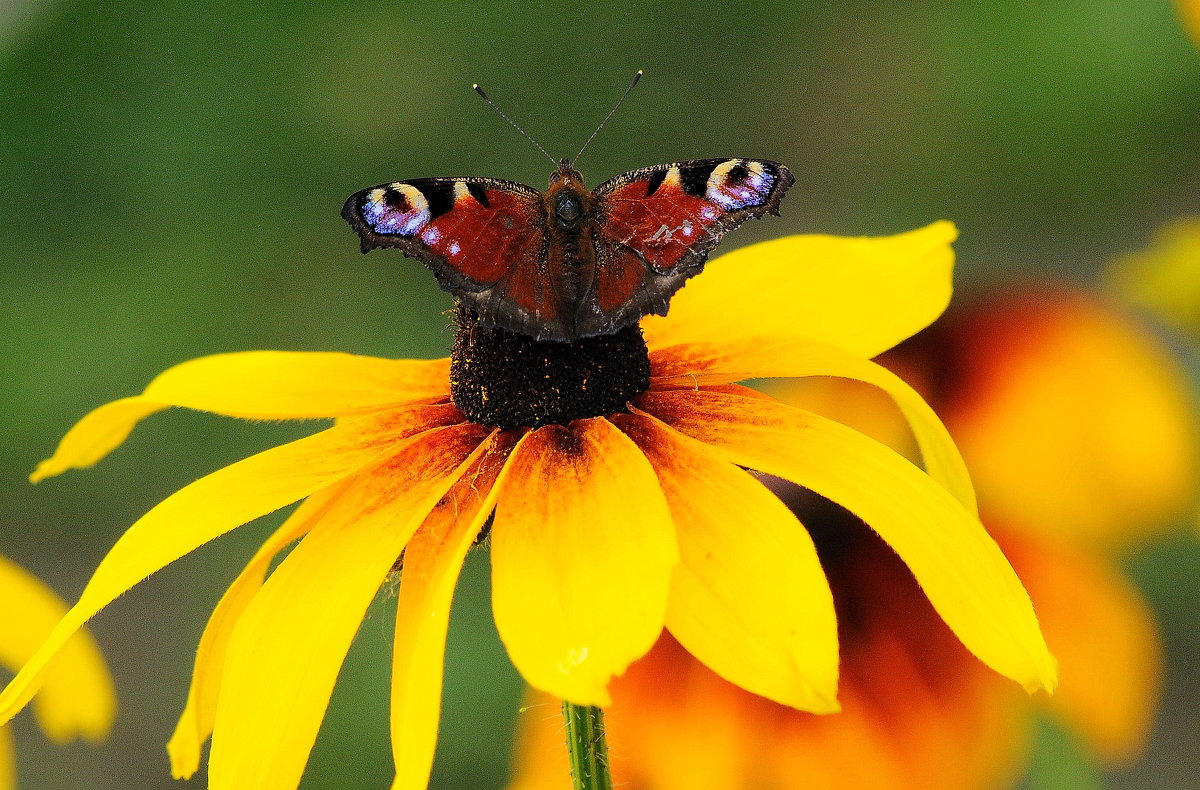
(569, 262)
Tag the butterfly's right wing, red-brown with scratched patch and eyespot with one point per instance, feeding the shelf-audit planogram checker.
(657, 226)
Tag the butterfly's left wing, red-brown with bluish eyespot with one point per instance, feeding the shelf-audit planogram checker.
(485, 241)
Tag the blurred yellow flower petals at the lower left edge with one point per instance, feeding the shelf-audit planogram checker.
(76, 697)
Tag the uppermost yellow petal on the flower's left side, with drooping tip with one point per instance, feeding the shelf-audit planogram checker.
(265, 385)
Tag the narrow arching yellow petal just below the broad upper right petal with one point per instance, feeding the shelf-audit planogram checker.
(688, 367)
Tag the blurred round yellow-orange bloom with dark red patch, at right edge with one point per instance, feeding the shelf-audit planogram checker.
(1075, 421)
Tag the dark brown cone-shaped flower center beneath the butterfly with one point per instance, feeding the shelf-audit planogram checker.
(508, 381)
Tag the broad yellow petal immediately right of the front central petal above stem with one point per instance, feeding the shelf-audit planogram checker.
(748, 597)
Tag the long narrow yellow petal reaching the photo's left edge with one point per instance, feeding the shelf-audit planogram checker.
(215, 505)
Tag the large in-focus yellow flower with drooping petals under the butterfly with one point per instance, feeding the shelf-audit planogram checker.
(605, 531)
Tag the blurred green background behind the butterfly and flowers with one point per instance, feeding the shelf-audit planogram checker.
(171, 178)
